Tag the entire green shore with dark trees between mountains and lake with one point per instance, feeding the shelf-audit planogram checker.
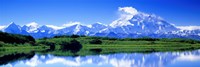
(87, 45)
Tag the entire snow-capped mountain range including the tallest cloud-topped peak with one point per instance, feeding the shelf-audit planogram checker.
(131, 24)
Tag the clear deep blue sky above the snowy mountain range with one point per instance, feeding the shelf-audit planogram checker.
(58, 12)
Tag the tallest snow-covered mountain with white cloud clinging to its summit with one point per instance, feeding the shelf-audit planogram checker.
(139, 22)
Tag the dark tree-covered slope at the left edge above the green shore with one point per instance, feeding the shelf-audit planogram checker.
(16, 38)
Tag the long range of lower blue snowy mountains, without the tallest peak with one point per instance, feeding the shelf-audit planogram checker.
(98, 29)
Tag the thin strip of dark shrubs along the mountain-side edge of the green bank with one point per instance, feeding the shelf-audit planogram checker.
(97, 39)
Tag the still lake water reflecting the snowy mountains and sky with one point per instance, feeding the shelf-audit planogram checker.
(157, 59)
